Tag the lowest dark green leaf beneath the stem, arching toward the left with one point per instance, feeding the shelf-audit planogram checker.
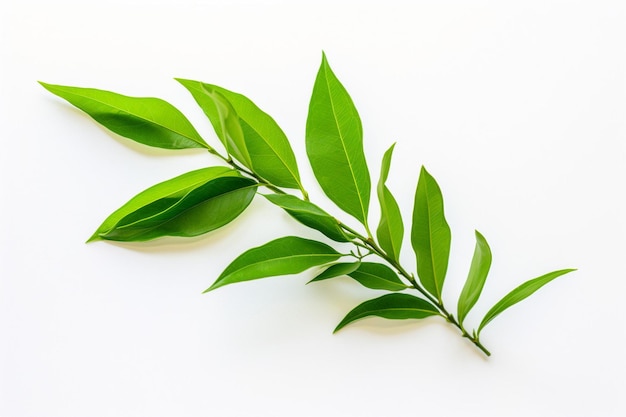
(391, 306)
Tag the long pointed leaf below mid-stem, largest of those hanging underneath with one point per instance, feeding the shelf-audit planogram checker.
(284, 256)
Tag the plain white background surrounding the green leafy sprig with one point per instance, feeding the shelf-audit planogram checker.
(517, 108)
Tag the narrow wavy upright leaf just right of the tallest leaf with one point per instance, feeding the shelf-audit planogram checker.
(390, 229)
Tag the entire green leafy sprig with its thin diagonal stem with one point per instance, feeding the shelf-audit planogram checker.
(257, 155)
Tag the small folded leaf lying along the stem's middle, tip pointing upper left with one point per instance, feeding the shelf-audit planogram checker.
(310, 215)
